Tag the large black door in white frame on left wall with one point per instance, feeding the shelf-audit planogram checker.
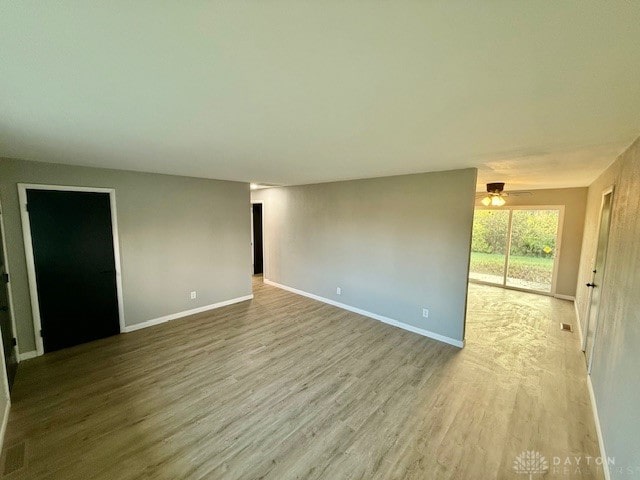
(74, 261)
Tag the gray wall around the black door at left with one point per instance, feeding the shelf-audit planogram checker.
(177, 234)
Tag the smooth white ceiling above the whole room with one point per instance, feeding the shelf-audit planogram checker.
(537, 94)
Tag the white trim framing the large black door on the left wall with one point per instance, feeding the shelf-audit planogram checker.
(28, 250)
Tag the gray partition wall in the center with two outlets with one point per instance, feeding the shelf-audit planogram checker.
(394, 244)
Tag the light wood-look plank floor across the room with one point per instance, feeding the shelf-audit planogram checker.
(285, 387)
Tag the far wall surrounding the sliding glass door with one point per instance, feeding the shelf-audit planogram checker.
(574, 201)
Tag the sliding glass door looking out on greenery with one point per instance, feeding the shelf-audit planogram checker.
(515, 247)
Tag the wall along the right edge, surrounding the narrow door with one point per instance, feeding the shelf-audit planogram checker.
(616, 360)
